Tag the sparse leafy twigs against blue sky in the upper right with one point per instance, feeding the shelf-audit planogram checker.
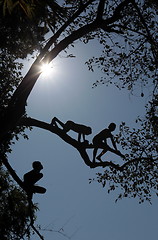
(128, 59)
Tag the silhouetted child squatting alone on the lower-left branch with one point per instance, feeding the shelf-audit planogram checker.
(32, 177)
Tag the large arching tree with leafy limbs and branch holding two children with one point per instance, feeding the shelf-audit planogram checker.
(129, 61)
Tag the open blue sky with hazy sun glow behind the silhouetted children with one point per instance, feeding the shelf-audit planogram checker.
(85, 211)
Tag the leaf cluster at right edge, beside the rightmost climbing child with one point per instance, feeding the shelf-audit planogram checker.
(138, 177)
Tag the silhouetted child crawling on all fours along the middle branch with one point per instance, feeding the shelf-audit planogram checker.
(82, 130)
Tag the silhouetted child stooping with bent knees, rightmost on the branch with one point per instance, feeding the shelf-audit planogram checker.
(100, 141)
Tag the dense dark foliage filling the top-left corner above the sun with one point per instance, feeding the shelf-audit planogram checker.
(23, 24)
